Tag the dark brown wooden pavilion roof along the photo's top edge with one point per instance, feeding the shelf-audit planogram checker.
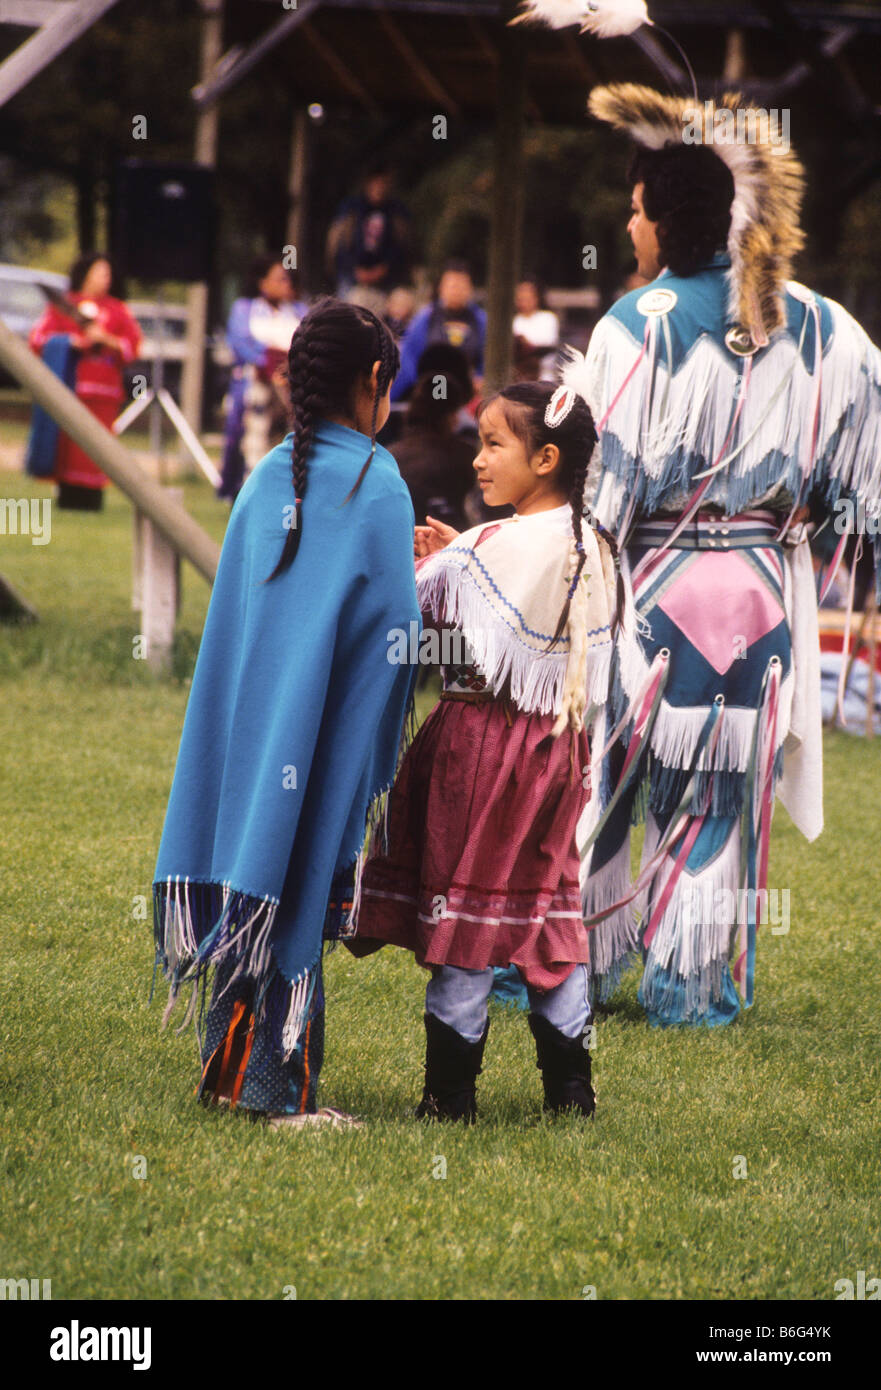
(443, 56)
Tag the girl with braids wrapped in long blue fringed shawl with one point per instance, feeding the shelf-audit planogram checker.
(293, 726)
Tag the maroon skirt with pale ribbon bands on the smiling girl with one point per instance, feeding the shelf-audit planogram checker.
(481, 865)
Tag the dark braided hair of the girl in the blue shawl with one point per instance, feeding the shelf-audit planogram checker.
(334, 345)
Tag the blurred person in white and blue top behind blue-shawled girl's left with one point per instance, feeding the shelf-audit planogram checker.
(259, 332)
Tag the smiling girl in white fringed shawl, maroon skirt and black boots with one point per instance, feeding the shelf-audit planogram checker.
(480, 867)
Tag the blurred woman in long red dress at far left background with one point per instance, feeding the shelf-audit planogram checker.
(108, 341)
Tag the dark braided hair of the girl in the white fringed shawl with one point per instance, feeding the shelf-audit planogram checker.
(525, 407)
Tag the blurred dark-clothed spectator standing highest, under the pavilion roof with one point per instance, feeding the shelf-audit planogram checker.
(368, 244)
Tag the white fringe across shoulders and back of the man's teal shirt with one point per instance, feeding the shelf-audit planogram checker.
(790, 434)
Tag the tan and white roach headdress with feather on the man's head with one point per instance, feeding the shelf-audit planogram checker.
(768, 177)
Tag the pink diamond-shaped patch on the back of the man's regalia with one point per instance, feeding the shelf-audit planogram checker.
(722, 607)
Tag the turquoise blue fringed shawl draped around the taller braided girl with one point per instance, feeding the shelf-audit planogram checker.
(293, 726)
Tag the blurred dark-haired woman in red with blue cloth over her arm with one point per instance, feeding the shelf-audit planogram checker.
(87, 337)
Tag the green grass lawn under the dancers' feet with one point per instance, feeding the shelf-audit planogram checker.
(641, 1204)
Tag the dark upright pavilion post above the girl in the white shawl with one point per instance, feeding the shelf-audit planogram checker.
(508, 204)
